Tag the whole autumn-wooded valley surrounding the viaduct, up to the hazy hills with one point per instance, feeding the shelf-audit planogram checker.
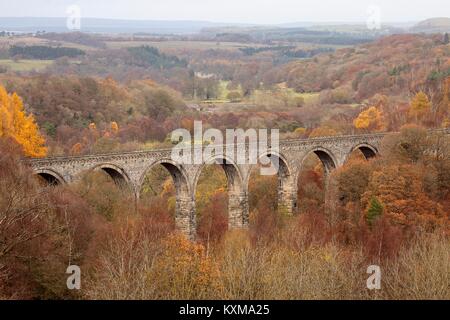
(115, 94)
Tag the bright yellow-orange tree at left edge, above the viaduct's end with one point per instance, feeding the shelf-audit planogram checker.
(16, 124)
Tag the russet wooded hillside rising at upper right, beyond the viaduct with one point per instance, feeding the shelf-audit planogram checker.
(393, 66)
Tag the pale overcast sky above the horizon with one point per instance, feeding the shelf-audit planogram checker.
(244, 11)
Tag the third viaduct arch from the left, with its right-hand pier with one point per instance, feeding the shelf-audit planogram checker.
(185, 205)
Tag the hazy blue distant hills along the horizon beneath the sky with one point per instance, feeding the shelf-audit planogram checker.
(165, 27)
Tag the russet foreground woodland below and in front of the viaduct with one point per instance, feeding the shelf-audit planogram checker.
(390, 211)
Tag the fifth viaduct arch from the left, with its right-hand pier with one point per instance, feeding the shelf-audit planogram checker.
(286, 189)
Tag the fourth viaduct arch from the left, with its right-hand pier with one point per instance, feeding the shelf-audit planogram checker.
(237, 192)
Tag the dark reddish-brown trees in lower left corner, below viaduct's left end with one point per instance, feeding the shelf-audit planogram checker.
(42, 230)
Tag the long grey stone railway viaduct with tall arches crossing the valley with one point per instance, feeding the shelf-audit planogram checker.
(131, 168)
